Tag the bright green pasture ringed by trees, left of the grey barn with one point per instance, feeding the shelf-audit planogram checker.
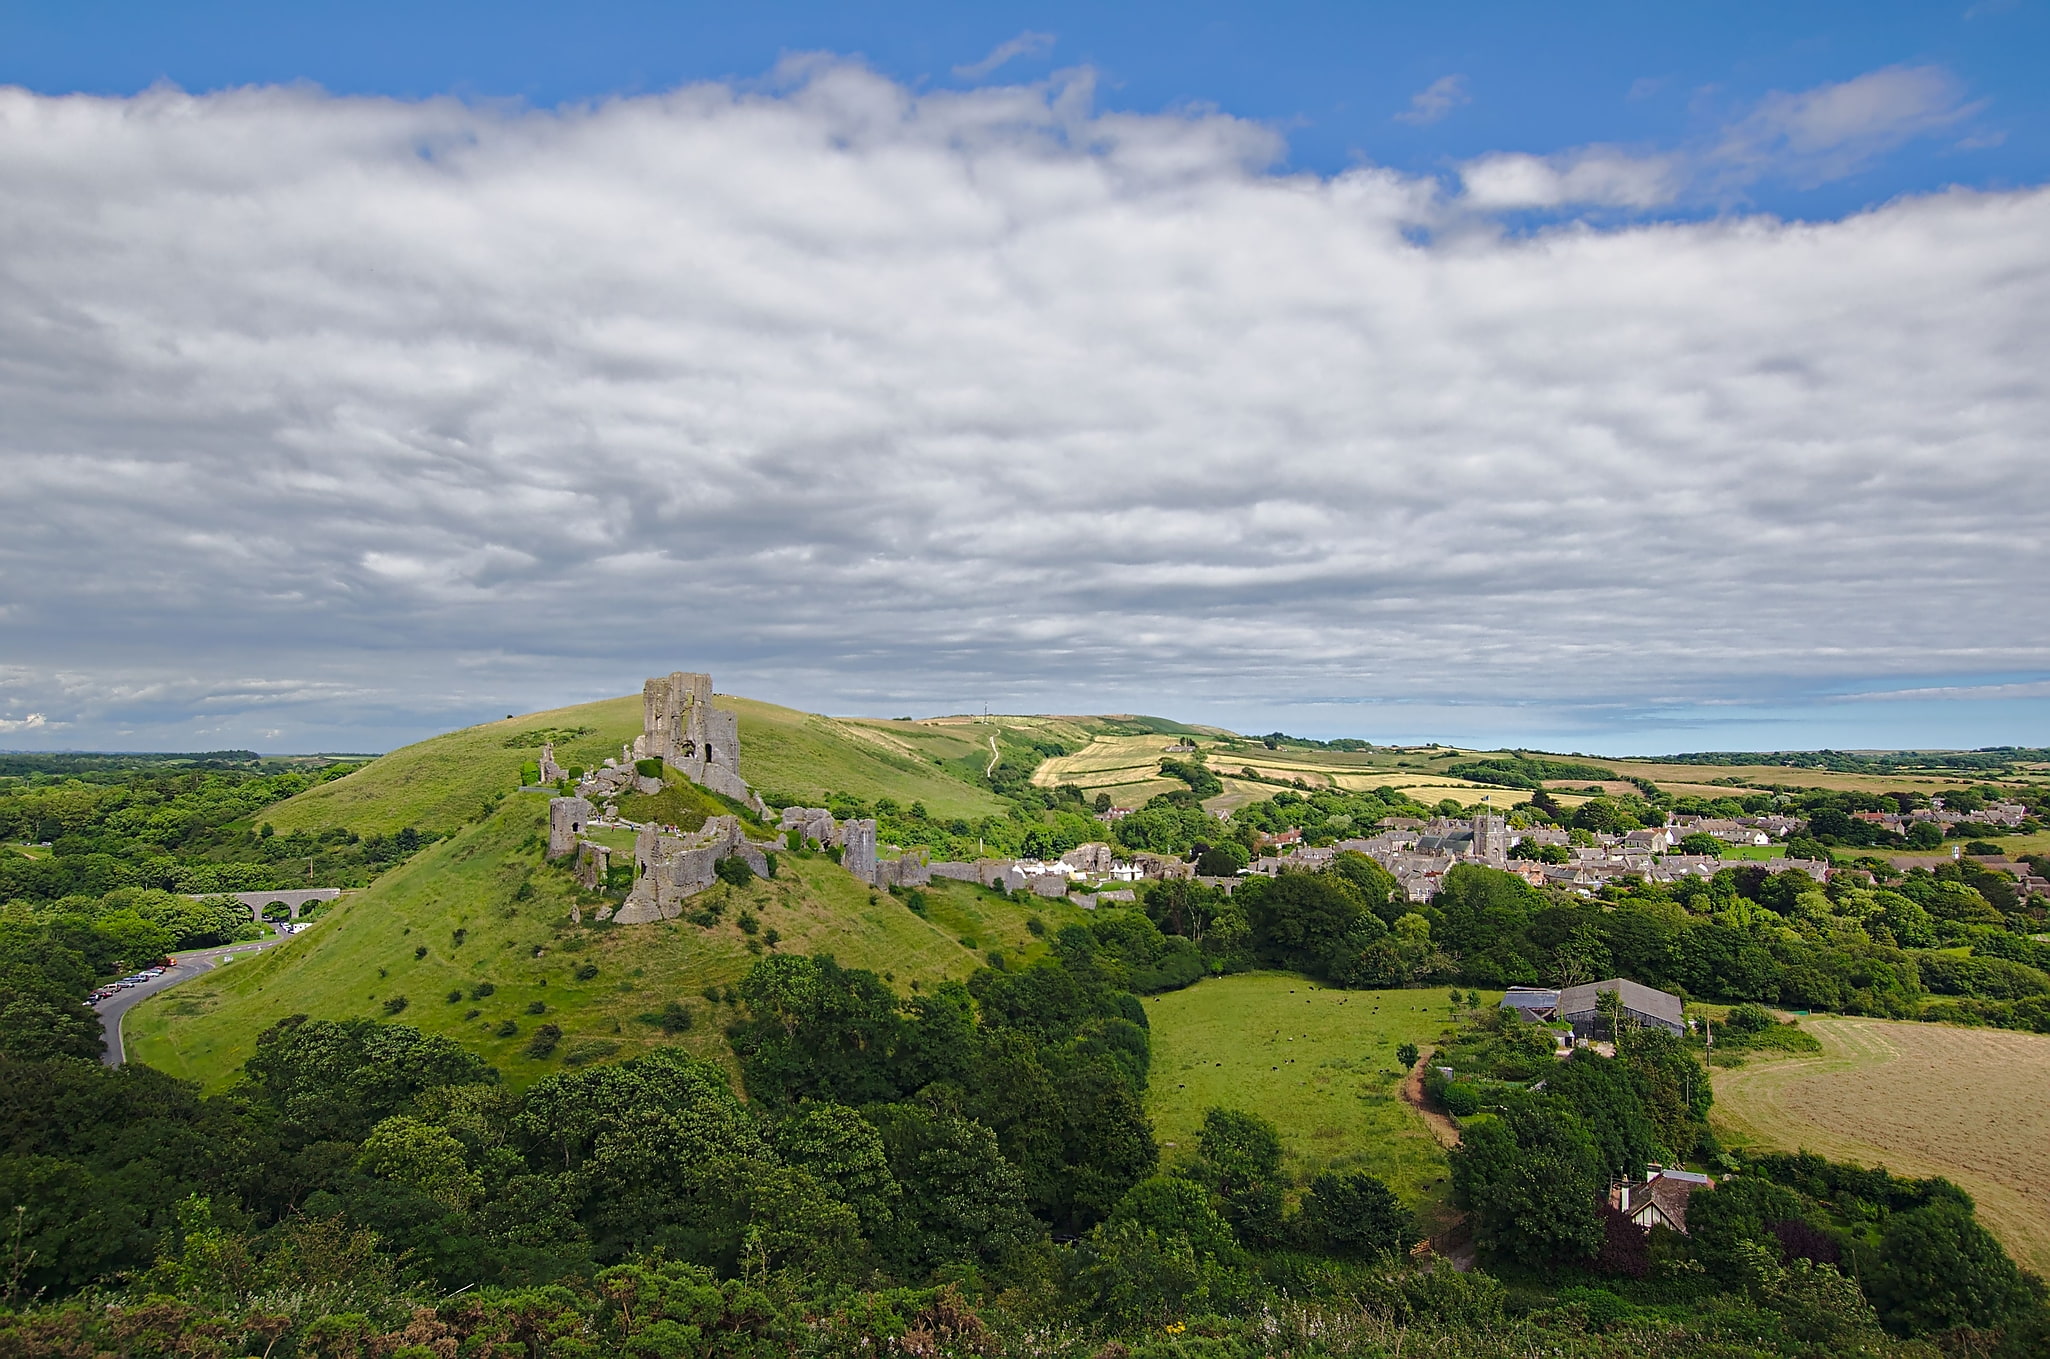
(1319, 1063)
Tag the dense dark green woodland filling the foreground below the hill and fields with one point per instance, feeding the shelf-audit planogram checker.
(960, 1173)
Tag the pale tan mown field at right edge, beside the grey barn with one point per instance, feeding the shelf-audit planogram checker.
(1971, 1106)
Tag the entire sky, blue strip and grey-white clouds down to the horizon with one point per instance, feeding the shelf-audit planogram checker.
(1590, 378)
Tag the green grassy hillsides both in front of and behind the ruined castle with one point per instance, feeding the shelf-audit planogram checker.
(483, 909)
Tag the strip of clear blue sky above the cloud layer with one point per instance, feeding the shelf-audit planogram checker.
(1338, 79)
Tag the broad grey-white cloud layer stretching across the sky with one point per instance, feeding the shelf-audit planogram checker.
(333, 419)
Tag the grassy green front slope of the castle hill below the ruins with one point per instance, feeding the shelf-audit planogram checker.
(528, 950)
